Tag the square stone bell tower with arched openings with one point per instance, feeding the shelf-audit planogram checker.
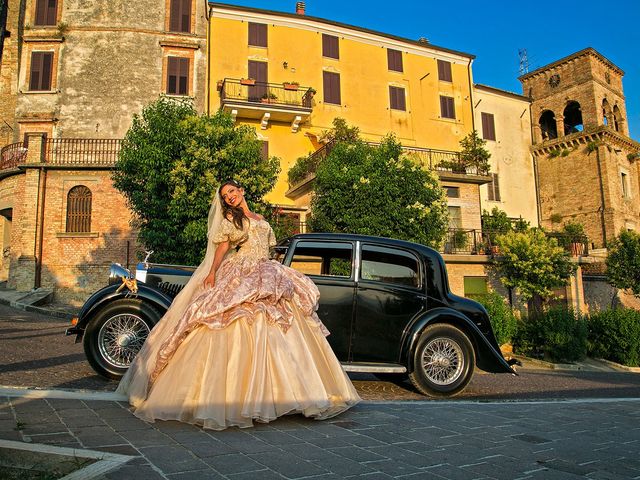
(587, 166)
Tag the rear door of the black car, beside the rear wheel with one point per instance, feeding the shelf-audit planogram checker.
(389, 294)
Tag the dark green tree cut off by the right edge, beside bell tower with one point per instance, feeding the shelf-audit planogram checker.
(623, 262)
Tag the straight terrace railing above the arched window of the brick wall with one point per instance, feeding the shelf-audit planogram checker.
(82, 151)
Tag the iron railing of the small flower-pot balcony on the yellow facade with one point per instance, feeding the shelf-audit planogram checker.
(267, 93)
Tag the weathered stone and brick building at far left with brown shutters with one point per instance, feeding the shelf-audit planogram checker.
(71, 78)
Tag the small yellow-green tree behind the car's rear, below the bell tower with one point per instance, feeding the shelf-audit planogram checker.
(532, 263)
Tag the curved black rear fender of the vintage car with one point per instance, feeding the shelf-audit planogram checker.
(487, 357)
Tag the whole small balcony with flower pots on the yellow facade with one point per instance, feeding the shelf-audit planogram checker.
(266, 101)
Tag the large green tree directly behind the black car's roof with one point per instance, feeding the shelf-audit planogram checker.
(377, 190)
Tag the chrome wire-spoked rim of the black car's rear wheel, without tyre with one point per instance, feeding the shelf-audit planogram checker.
(443, 361)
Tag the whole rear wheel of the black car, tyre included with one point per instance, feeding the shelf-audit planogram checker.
(443, 361)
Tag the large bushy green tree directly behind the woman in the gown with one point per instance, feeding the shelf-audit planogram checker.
(171, 162)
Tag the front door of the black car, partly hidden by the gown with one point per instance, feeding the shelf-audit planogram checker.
(330, 265)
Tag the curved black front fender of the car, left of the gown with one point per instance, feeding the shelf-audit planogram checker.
(110, 293)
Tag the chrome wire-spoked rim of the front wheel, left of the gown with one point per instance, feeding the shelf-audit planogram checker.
(120, 339)
